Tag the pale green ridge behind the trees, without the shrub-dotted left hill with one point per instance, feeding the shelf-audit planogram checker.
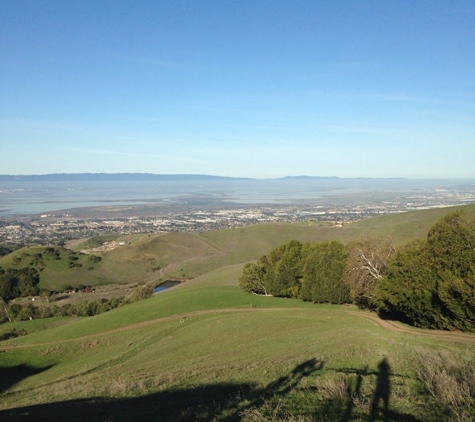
(188, 255)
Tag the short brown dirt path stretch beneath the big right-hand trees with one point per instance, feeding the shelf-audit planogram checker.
(397, 327)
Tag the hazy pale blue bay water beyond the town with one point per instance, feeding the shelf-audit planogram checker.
(23, 197)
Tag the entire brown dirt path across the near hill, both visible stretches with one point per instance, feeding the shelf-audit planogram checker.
(393, 326)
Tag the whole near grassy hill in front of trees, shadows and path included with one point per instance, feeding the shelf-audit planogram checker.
(205, 350)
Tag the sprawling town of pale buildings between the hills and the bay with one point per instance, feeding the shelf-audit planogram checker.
(61, 226)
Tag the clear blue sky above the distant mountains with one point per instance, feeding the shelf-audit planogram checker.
(238, 88)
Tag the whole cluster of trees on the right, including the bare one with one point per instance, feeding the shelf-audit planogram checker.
(428, 283)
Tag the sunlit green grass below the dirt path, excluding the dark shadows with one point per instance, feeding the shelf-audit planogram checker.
(254, 348)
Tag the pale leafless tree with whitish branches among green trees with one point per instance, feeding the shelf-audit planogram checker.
(367, 264)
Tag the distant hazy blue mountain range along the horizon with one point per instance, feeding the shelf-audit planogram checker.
(114, 177)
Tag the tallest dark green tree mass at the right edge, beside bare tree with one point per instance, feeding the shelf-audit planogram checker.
(431, 283)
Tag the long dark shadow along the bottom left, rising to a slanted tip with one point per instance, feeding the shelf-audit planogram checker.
(224, 402)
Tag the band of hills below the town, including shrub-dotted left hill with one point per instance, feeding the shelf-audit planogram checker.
(154, 258)
